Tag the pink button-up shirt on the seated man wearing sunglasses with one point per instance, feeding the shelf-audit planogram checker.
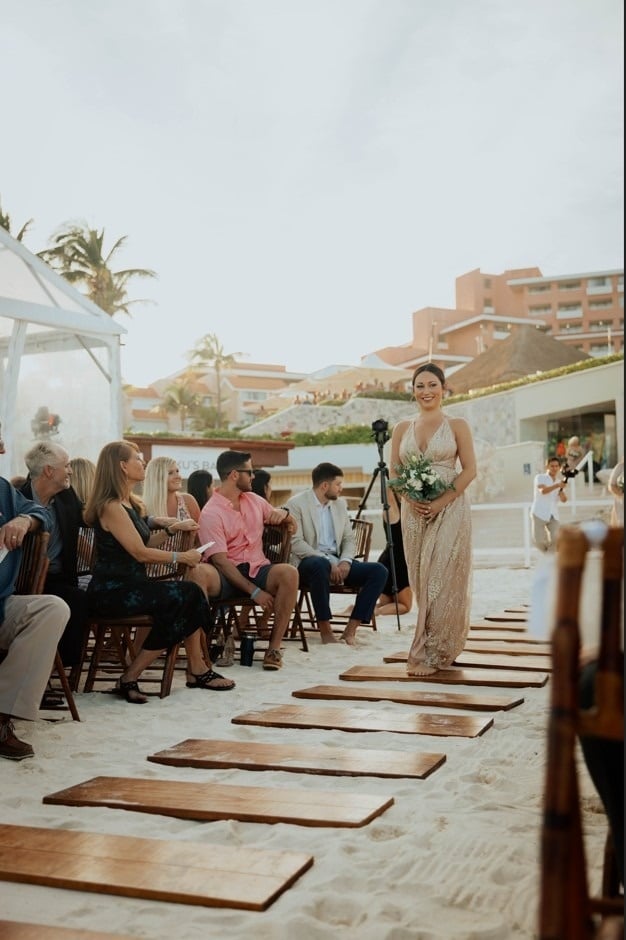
(237, 533)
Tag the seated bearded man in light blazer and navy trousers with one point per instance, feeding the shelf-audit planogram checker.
(323, 551)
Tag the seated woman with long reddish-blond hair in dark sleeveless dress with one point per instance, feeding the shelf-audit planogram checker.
(120, 585)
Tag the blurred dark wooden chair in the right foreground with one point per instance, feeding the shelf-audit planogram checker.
(567, 911)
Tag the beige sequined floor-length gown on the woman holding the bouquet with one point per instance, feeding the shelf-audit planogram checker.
(439, 559)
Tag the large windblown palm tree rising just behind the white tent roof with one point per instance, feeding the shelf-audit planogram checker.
(77, 253)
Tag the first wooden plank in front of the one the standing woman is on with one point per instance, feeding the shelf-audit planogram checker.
(479, 703)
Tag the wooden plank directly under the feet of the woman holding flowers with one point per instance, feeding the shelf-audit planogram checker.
(453, 676)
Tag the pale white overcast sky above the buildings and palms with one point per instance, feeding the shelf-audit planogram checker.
(303, 174)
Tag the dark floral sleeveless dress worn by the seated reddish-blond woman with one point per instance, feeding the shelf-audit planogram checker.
(120, 587)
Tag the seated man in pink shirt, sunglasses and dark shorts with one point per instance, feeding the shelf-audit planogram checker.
(233, 519)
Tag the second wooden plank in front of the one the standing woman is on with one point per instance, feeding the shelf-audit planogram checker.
(341, 718)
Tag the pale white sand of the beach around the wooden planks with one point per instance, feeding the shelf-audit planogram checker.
(455, 858)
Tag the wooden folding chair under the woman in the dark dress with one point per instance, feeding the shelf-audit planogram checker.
(120, 632)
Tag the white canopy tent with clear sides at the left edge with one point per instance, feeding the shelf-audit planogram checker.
(59, 356)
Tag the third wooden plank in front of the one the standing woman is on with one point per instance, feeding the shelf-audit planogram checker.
(315, 759)
